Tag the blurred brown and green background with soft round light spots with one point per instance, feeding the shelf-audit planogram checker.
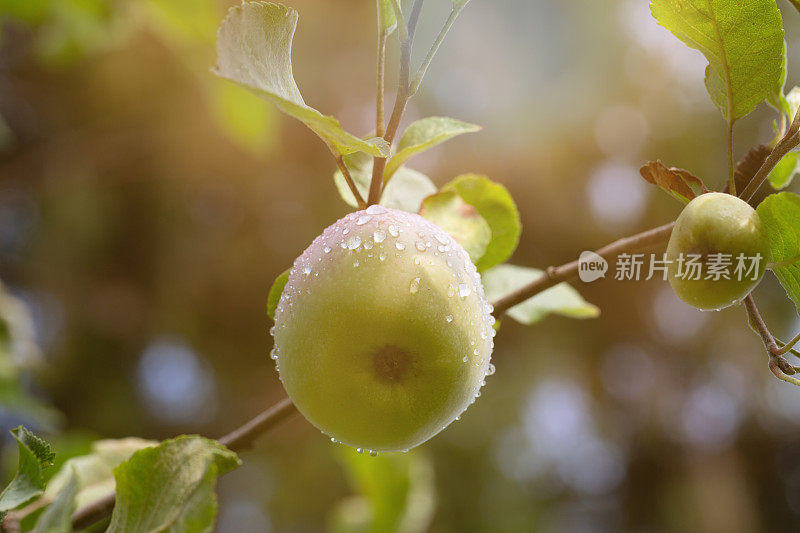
(146, 207)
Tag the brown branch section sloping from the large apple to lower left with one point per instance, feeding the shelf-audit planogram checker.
(237, 440)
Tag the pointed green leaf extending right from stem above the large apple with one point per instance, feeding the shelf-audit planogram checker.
(422, 135)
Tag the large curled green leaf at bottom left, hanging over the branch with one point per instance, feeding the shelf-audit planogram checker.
(170, 487)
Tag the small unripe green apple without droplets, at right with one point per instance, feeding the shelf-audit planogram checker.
(716, 229)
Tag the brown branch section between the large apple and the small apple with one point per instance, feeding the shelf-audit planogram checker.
(555, 275)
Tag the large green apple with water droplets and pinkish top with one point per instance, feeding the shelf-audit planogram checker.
(382, 334)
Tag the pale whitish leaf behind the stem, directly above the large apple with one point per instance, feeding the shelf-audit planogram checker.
(406, 191)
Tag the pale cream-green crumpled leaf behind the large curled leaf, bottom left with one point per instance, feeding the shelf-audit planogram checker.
(93, 472)
